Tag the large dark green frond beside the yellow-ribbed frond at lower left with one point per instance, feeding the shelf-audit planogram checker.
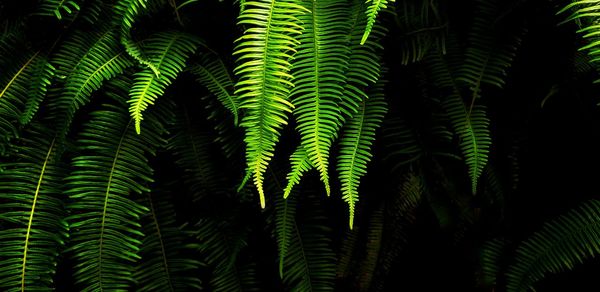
(110, 168)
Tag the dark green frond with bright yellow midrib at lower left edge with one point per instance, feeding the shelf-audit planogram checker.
(31, 214)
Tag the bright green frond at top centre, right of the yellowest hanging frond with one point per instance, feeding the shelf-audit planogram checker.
(318, 70)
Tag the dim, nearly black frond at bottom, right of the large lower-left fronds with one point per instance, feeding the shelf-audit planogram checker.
(164, 266)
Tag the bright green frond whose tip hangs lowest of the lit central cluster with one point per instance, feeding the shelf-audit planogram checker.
(355, 146)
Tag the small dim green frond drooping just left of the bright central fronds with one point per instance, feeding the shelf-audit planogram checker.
(214, 75)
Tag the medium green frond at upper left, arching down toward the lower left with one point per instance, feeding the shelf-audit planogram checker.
(85, 61)
